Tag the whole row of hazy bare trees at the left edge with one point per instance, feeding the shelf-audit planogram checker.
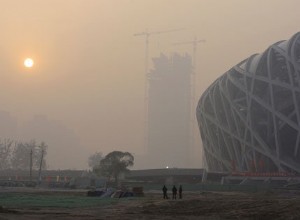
(22, 155)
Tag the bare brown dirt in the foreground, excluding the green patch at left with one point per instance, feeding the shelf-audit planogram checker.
(194, 205)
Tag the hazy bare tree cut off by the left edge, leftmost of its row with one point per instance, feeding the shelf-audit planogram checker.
(5, 153)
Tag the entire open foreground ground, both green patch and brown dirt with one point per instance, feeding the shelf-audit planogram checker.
(34, 204)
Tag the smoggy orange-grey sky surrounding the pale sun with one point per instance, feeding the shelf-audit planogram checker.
(89, 68)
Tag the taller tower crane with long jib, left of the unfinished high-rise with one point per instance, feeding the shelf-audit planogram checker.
(147, 34)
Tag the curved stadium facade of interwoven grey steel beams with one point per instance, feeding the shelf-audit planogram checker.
(249, 118)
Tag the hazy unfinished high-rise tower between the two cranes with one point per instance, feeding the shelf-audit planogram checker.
(169, 129)
